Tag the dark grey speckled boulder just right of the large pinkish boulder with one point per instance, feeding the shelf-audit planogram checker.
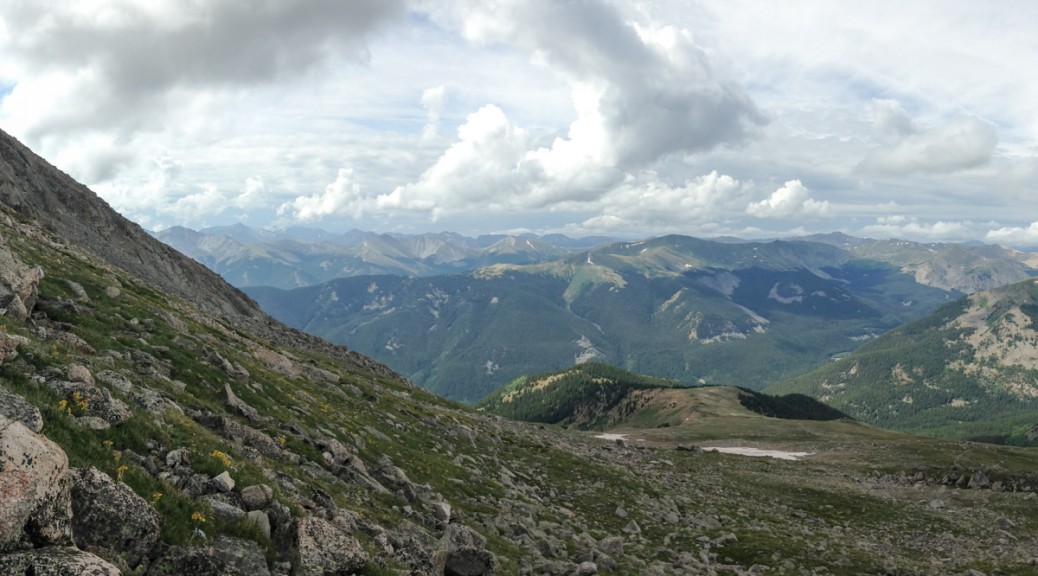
(111, 518)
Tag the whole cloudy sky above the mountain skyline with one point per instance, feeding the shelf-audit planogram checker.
(908, 119)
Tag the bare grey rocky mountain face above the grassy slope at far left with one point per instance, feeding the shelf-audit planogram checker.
(41, 193)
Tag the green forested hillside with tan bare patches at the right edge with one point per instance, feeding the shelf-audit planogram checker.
(968, 370)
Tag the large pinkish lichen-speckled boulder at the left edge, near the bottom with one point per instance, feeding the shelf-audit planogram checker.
(35, 489)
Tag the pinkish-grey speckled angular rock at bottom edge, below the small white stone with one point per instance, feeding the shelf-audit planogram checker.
(324, 550)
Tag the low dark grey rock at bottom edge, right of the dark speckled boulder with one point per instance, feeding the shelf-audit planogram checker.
(228, 557)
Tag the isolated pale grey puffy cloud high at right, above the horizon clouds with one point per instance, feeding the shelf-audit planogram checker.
(906, 149)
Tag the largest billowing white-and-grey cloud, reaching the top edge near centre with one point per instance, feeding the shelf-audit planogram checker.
(640, 94)
